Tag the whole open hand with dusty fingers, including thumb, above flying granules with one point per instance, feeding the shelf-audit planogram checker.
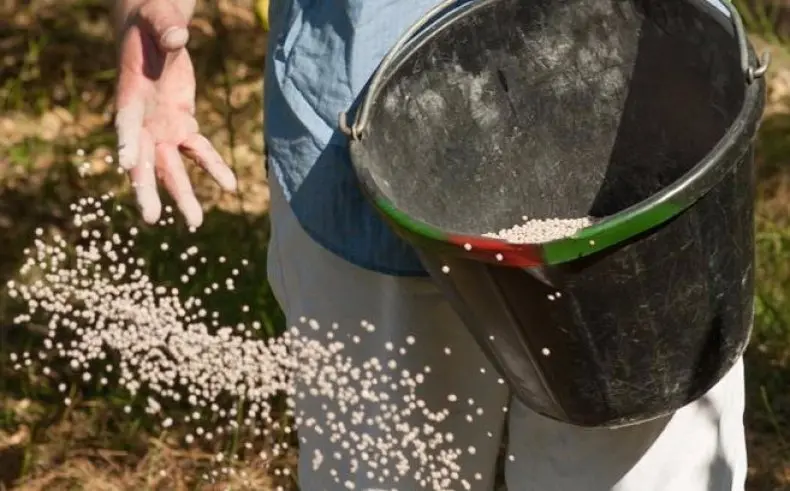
(155, 102)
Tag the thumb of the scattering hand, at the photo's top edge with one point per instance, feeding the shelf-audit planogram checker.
(165, 22)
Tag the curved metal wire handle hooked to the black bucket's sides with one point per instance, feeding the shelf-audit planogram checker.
(355, 130)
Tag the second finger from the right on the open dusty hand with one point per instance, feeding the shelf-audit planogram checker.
(176, 181)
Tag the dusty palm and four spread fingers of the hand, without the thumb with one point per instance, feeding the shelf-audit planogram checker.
(156, 101)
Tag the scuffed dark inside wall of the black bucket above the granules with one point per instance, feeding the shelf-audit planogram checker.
(551, 109)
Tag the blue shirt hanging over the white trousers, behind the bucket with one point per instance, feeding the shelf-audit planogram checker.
(321, 54)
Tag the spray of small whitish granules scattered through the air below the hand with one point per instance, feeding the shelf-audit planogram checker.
(111, 323)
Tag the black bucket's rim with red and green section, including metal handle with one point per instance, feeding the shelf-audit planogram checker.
(605, 232)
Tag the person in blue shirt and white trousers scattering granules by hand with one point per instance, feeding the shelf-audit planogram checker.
(331, 259)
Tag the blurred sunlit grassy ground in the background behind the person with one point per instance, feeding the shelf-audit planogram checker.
(55, 100)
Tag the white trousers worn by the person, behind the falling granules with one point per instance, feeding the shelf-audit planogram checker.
(699, 448)
